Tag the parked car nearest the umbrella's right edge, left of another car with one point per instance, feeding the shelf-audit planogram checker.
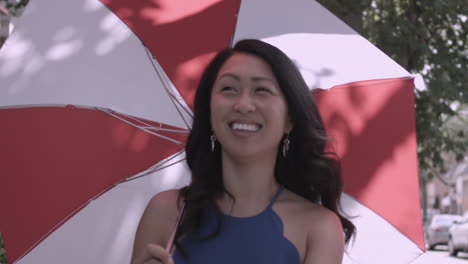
(438, 229)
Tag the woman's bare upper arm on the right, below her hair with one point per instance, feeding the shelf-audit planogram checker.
(325, 240)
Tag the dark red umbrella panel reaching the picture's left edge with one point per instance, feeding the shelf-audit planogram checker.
(59, 159)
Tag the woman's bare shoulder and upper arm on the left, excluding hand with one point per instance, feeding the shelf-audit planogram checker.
(157, 221)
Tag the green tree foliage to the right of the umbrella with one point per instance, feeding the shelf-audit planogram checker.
(429, 38)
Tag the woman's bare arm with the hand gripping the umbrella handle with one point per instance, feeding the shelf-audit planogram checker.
(155, 228)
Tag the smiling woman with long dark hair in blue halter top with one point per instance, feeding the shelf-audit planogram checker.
(264, 189)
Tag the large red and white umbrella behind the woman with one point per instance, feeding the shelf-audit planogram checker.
(95, 103)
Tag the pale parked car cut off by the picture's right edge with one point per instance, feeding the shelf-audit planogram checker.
(458, 236)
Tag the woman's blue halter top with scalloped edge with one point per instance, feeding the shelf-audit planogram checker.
(248, 240)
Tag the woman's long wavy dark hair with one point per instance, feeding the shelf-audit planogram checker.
(308, 169)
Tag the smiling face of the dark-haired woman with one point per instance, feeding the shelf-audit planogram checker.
(249, 114)
